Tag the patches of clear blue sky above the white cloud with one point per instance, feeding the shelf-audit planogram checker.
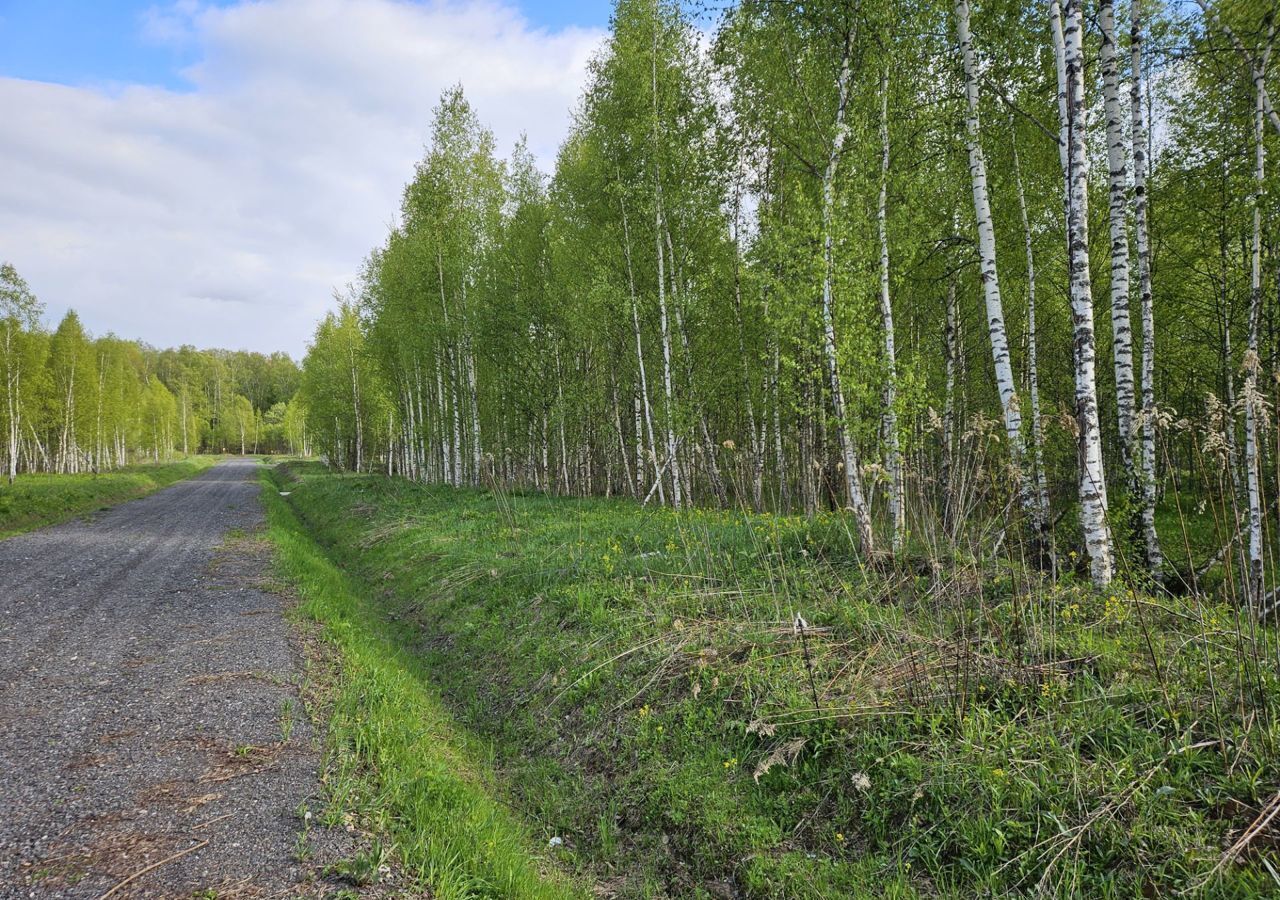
(106, 43)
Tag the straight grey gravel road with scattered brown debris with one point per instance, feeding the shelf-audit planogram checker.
(149, 706)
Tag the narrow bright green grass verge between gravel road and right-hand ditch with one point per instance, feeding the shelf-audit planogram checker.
(397, 759)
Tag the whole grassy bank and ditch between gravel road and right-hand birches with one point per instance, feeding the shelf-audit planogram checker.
(636, 683)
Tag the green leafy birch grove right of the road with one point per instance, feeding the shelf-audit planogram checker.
(650, 310)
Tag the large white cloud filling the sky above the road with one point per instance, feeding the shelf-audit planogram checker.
(227, 214)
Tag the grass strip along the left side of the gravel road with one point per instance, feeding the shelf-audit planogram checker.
(36, 501)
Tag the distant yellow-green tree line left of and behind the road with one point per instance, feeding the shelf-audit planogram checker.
(79, 404)
